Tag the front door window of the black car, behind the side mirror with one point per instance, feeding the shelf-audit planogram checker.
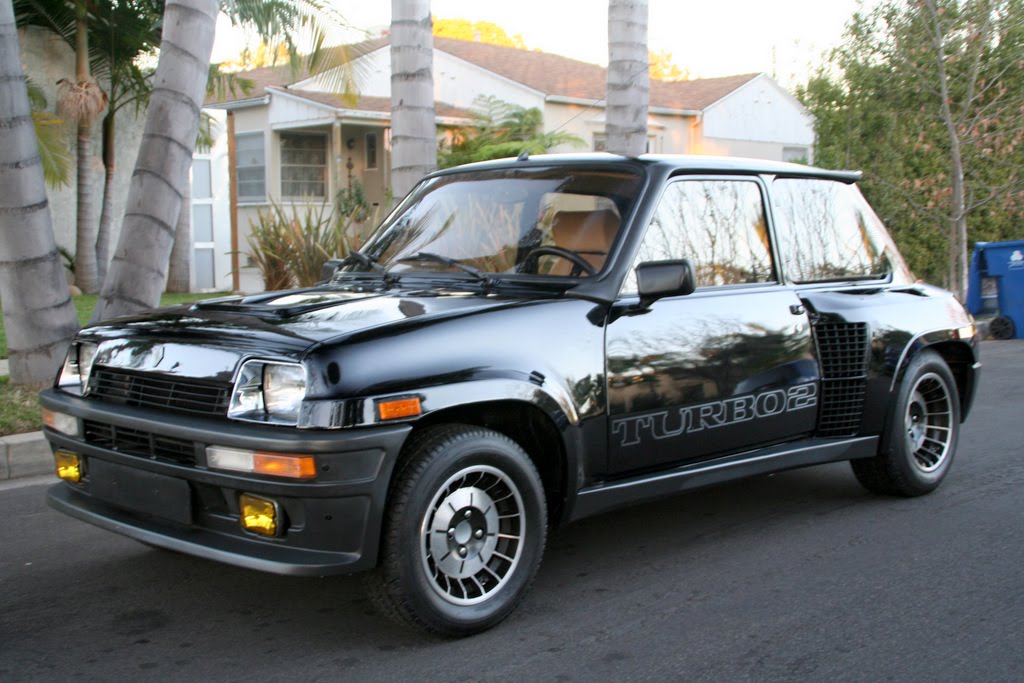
(719, 226)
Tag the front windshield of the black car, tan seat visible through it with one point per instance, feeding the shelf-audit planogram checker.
(557, 222)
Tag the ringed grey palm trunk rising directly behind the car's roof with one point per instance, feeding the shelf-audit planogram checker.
(629, 78)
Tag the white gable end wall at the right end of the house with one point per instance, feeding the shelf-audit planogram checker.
(761, 111)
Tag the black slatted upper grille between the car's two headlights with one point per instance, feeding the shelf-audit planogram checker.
(163, 392)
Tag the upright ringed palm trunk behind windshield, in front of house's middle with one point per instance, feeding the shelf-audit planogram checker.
(414, 133)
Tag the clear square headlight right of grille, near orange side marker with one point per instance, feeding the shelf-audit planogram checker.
(267, 392)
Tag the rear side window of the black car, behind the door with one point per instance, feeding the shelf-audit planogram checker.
(827, 232)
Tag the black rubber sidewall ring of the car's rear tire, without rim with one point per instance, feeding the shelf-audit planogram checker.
(902, 457)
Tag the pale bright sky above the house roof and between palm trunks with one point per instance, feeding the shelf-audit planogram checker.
(783, 38)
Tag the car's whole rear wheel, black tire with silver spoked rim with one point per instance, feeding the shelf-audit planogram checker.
(924, 429)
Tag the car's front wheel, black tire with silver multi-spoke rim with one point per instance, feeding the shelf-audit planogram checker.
(464, 532)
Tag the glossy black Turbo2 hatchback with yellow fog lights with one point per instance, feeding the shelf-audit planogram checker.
(521, 345)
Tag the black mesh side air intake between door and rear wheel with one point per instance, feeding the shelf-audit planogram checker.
(843, 355)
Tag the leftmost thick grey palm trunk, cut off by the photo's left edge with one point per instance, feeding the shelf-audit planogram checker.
(38, 314)
